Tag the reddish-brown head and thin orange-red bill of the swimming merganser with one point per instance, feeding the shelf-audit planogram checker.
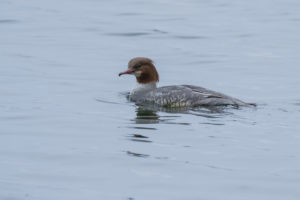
(143, 69)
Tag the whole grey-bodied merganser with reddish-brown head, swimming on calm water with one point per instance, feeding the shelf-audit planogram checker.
(171, 96)
